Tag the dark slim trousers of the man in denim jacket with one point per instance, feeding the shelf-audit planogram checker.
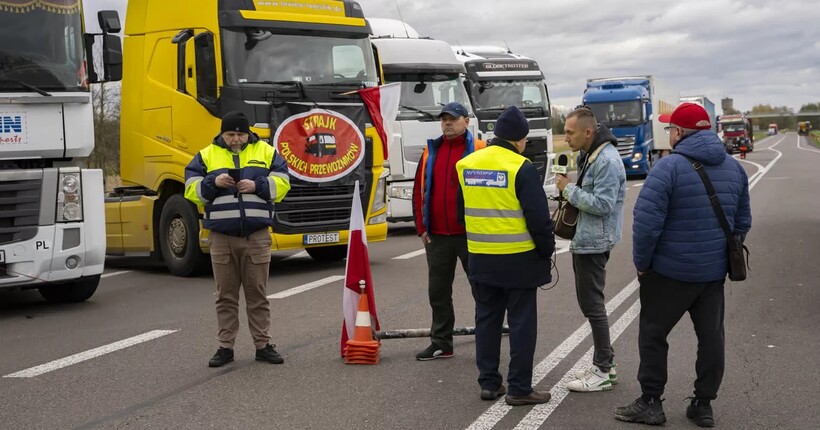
(590, 279)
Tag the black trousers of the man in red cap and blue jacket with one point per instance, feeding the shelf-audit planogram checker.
(663, 303)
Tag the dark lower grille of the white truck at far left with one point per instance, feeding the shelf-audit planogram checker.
(19, 209)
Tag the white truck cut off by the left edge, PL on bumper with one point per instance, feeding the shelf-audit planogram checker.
(52, 226)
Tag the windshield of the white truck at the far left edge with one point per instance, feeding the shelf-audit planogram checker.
(42, 46)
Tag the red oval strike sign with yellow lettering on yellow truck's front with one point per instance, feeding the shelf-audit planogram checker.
(319, 145)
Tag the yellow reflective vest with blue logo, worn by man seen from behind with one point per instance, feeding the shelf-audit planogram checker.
(494, 219)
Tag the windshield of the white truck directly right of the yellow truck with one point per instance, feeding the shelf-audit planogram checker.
(423, 94)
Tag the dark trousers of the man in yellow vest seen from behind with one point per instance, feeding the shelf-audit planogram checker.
(522, 316)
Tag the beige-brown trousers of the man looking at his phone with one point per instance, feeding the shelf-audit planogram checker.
(245, 262)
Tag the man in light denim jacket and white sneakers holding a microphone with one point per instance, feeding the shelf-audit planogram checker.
(599, 200)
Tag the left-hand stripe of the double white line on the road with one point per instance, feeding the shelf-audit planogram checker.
(497, 411)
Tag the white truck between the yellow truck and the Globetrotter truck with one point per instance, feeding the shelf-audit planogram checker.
(430, 77)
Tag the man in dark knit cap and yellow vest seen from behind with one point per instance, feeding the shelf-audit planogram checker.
(510, 241)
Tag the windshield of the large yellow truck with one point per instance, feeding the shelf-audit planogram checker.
(255, 55)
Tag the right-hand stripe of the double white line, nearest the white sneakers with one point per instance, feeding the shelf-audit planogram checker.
(539, 413)
